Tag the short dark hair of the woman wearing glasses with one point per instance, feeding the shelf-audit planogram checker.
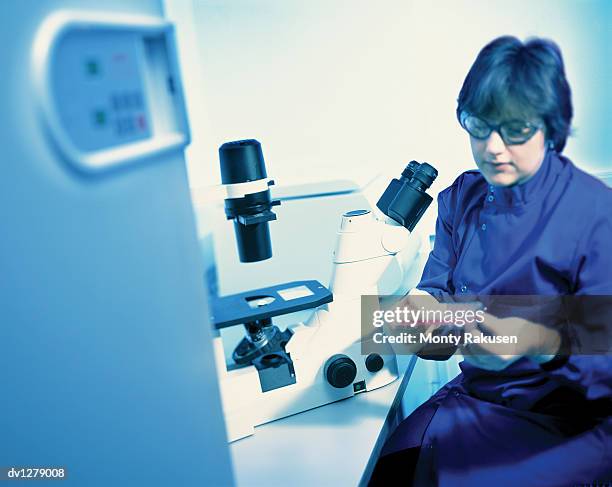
(512, 79)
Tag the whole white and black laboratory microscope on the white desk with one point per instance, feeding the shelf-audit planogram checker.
(277, 373)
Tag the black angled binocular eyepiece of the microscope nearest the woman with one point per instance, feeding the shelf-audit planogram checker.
(405, 199)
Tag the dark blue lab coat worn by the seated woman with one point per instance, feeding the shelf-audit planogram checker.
(530, 424)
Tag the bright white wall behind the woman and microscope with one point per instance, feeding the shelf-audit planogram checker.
(351, 88)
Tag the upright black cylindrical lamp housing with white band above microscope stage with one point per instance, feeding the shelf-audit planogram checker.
(248, 201)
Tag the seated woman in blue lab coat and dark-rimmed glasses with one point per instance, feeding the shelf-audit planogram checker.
(528, 222)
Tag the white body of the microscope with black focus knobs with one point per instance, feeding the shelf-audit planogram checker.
(368, 249)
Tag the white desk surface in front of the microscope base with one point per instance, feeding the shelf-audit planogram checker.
(331, 445)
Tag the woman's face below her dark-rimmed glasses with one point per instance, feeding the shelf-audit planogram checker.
(506, 165)
